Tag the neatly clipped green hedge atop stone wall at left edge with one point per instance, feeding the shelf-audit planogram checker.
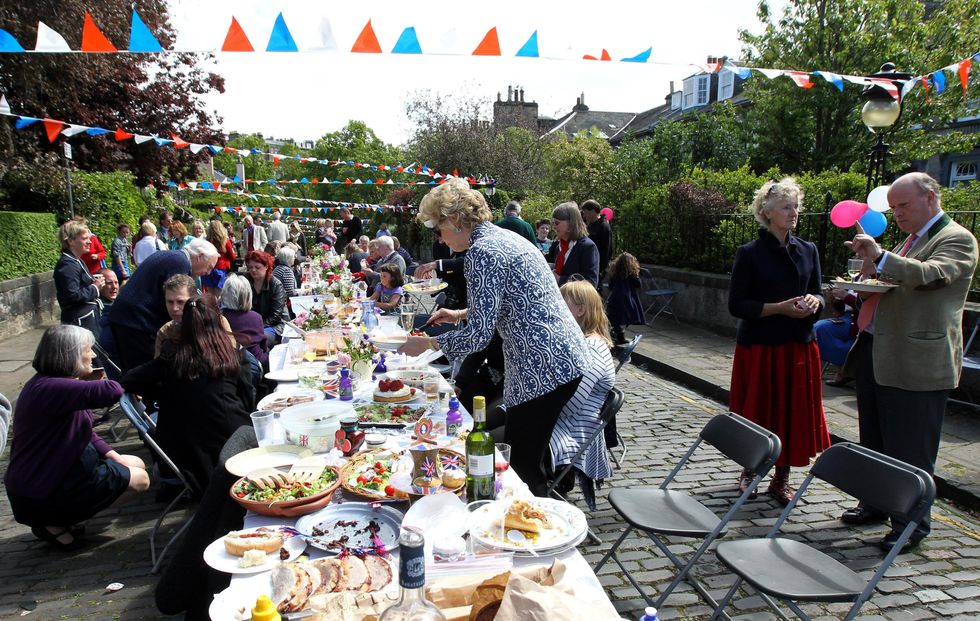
(30, 242)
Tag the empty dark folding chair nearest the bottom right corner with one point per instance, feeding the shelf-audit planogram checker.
(793, 571)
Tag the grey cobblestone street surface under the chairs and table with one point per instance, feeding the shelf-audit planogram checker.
(659, 421)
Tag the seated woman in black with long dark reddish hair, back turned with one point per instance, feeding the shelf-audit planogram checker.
(203, 387)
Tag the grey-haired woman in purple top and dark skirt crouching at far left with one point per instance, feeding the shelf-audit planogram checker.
(61, 472)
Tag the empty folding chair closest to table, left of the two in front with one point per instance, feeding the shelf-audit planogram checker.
(662, 512)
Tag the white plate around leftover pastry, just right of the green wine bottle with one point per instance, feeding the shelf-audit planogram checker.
(569, 521)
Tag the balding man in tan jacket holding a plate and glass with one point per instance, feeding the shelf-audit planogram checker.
(909, 353)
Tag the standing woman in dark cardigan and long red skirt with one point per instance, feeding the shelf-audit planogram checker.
(775, 293)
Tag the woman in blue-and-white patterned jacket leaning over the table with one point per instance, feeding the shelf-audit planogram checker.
(510, 291)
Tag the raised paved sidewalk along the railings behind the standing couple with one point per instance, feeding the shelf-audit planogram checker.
(702, 360)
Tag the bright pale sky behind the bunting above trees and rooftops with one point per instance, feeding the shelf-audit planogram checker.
(304, 95)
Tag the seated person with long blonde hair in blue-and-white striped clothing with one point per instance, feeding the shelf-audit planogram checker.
(579, 419)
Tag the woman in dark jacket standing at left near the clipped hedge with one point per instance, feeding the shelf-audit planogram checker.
(76, 288)
